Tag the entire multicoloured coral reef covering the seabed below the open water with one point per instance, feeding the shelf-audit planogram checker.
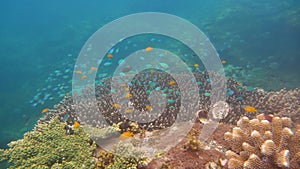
(266, 139)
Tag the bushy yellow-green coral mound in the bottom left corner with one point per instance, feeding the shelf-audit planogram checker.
(50, 147)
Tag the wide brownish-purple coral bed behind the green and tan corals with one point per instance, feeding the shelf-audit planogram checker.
(281, 103)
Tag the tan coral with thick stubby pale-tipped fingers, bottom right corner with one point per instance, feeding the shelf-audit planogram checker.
(260, 144)
